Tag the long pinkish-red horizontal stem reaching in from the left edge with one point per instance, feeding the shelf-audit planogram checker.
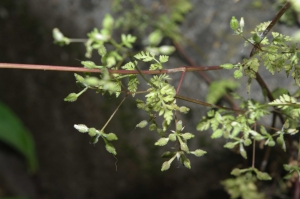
(77, 69)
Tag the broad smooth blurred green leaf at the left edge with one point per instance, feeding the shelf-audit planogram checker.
(15, 134)
